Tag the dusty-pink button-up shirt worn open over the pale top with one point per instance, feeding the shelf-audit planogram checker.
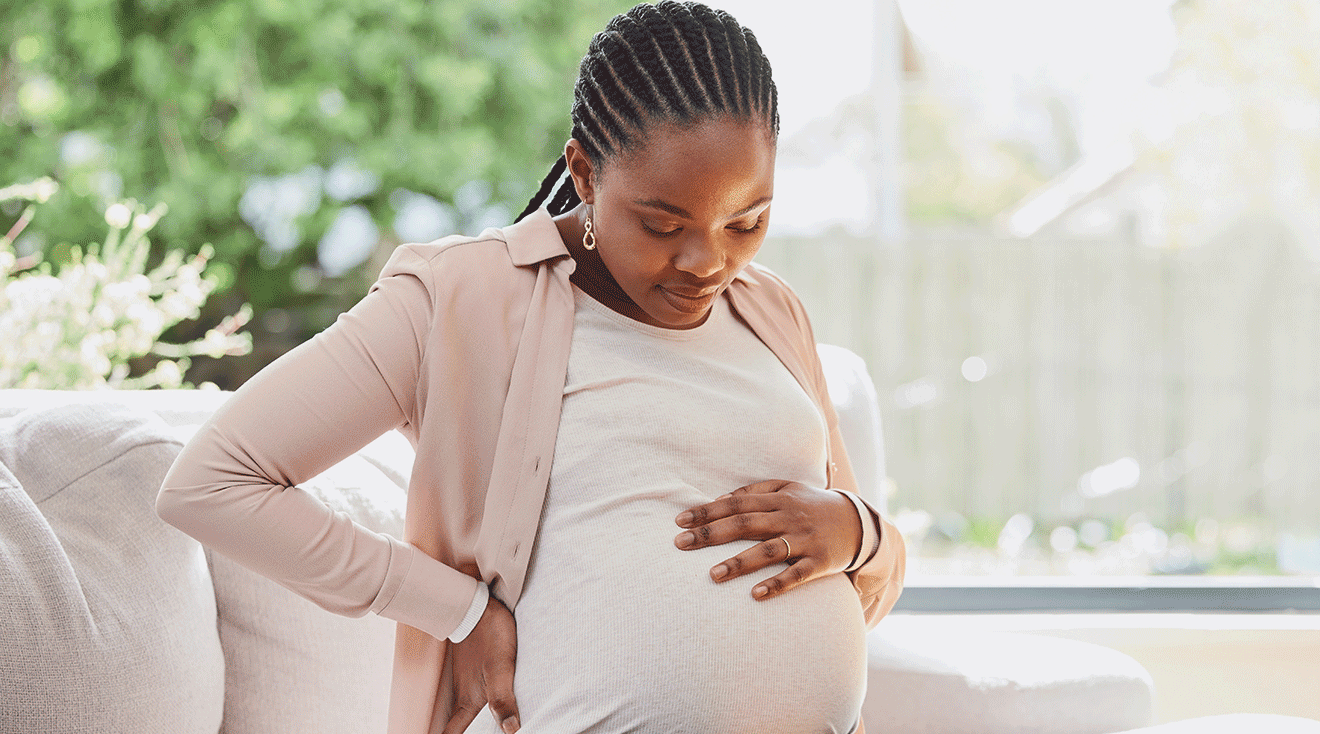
(463, 345)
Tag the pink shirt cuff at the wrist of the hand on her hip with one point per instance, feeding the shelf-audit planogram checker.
(424, 593)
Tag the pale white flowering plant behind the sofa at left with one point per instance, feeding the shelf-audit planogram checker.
(79, 328)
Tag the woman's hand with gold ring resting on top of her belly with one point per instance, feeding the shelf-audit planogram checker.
(822, 527)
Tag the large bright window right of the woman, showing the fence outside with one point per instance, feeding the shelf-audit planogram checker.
(1091, 306)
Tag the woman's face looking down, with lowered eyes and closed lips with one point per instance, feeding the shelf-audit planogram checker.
(678, 218)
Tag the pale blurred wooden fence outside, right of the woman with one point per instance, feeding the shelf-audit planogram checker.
(1202, 365)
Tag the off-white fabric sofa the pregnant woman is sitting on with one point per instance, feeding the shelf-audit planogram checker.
(114, 622)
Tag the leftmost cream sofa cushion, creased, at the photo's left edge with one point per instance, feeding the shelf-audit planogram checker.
(108, 615)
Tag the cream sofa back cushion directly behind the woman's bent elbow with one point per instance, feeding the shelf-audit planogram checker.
(292, 666)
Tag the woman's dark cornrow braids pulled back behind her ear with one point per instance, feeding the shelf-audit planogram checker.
(669, 63)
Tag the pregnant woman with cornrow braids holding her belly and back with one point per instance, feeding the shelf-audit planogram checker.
(632, 510)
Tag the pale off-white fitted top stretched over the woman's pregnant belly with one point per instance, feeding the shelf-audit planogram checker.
(618, 630)
